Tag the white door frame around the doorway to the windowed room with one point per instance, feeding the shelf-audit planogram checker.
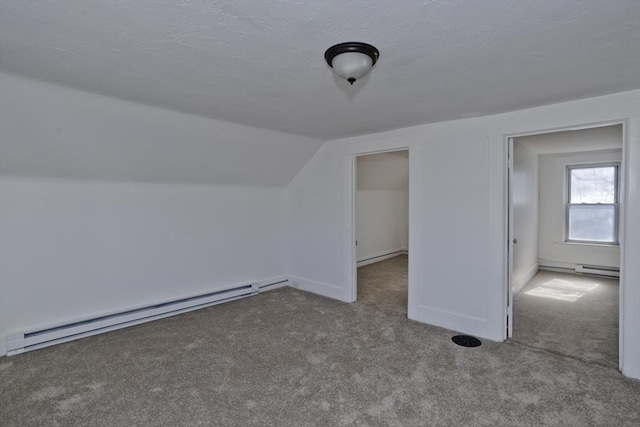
(508, 173)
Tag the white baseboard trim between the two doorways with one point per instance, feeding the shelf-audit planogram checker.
(453, 321)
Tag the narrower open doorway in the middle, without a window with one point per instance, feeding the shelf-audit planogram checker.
(382, 230)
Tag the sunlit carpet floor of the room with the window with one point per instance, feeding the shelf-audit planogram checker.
(570, 315)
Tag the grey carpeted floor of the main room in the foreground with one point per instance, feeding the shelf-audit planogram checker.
(290, 358)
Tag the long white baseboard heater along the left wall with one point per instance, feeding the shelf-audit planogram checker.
(19, 343)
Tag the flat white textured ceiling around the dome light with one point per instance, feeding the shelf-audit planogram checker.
(261, 62)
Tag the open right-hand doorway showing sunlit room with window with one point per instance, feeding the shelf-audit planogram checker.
(565, 190)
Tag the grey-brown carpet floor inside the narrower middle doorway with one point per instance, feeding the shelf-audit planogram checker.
(384, 285)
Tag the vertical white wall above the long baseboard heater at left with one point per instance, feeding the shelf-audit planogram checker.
(75, 249)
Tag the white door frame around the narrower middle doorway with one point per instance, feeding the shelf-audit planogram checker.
(408, 142)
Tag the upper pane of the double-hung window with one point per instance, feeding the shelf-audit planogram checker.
(593, 185)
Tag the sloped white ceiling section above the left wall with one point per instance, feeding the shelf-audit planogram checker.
(50, 131)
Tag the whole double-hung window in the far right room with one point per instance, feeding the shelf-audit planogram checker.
(592, 208)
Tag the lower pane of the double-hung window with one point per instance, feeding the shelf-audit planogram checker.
(592, 223)
